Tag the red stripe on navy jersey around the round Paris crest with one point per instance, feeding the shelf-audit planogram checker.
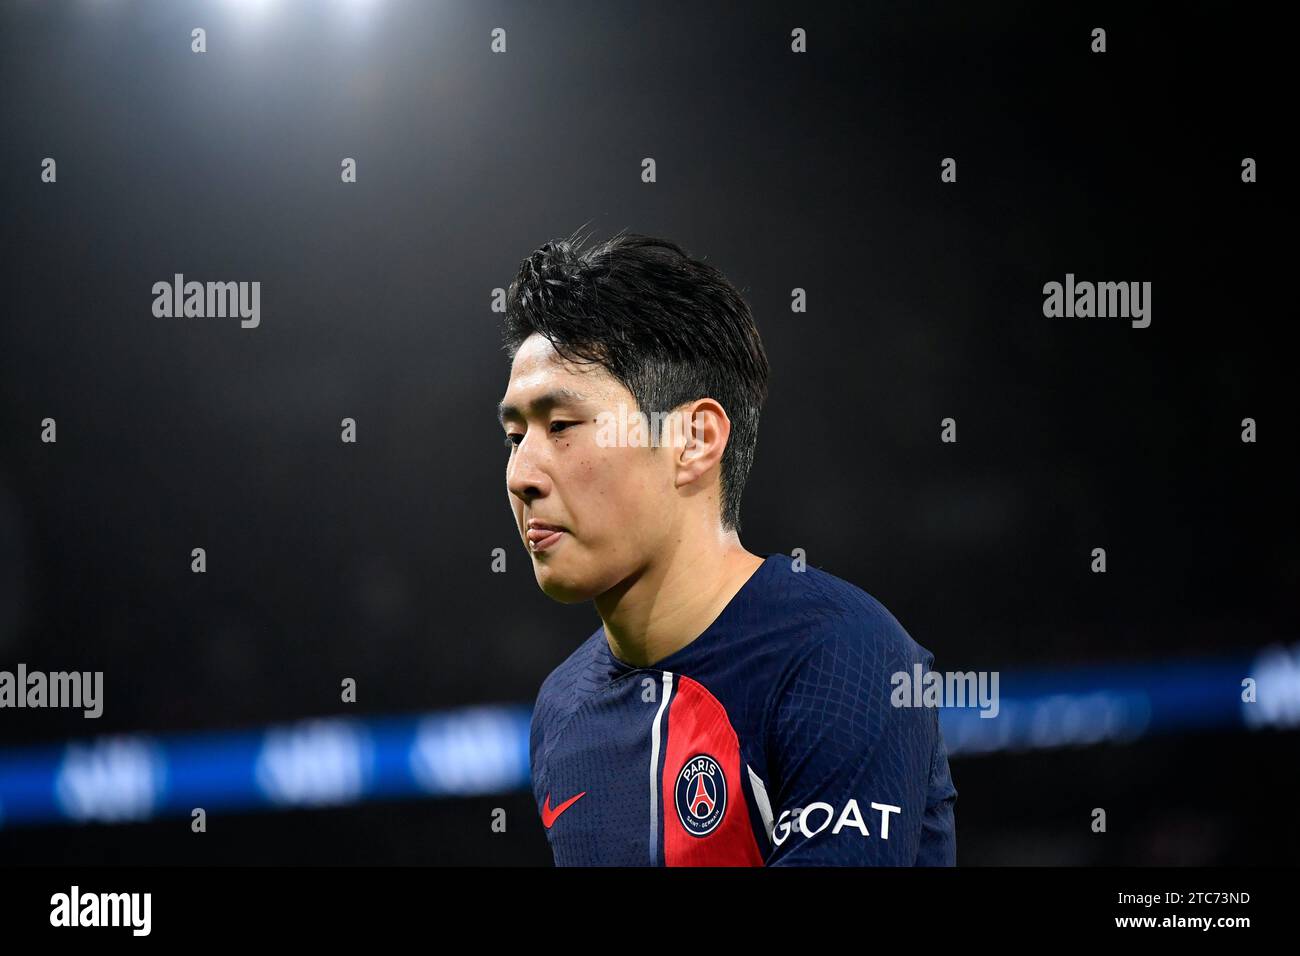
(699, 725)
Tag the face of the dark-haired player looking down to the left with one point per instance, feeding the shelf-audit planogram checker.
(616, 504)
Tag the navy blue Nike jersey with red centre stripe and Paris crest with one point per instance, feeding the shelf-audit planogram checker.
(768, 741)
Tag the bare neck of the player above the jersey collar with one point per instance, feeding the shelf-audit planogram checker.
(674, 600)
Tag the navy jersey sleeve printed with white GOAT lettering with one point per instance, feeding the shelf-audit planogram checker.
(857, 781)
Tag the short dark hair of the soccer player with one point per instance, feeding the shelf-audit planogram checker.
(670, 328)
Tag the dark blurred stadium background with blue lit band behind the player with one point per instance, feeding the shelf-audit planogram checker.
(372, 561)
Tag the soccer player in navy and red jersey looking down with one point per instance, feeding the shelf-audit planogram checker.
(733, 708)
